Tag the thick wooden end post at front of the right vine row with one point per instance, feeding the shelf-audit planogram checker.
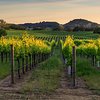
(74, 66)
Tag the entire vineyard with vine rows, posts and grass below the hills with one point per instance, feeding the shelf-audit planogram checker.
(78, 53)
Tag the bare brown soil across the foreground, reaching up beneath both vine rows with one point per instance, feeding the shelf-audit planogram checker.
(64, 92)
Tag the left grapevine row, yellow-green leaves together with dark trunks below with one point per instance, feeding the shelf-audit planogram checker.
(28, 52)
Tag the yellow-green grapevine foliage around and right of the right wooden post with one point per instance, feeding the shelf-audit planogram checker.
(84, 47)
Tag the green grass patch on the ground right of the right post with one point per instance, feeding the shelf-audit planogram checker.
(89, 73)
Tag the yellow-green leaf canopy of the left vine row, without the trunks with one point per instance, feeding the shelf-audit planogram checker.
(24, 46)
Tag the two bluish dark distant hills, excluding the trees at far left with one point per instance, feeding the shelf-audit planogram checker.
(70, 25)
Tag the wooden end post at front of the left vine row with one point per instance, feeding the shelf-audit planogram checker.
(12, 64)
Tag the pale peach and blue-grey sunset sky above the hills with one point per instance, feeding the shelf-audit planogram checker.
(62, 11)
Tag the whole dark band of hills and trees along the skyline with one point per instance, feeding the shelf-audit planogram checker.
(76, 24)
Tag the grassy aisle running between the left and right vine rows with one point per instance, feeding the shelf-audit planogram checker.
(46, 77)
